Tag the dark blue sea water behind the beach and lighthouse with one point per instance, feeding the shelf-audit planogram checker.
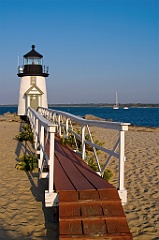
(146, 117)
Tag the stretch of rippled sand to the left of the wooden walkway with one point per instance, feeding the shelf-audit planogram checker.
(22, 211)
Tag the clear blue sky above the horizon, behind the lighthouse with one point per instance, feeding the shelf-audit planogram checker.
(93, 48)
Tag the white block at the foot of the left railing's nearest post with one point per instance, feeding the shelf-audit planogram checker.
(51, 199)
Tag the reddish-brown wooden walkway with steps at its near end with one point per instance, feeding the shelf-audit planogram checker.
(89, 207)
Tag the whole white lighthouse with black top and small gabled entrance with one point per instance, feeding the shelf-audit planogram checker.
(33, 75)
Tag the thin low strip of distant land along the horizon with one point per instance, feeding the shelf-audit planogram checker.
(129, 105)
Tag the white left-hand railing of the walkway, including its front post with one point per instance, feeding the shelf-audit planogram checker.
(44, 132)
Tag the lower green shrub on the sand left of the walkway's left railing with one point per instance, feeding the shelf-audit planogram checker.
(27, 162)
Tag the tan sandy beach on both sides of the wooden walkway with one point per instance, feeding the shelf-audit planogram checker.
(22, 211)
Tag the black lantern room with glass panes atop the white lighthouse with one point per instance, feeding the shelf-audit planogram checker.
(33, 65)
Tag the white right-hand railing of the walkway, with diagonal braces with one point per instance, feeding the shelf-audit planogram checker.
(65, 122)
